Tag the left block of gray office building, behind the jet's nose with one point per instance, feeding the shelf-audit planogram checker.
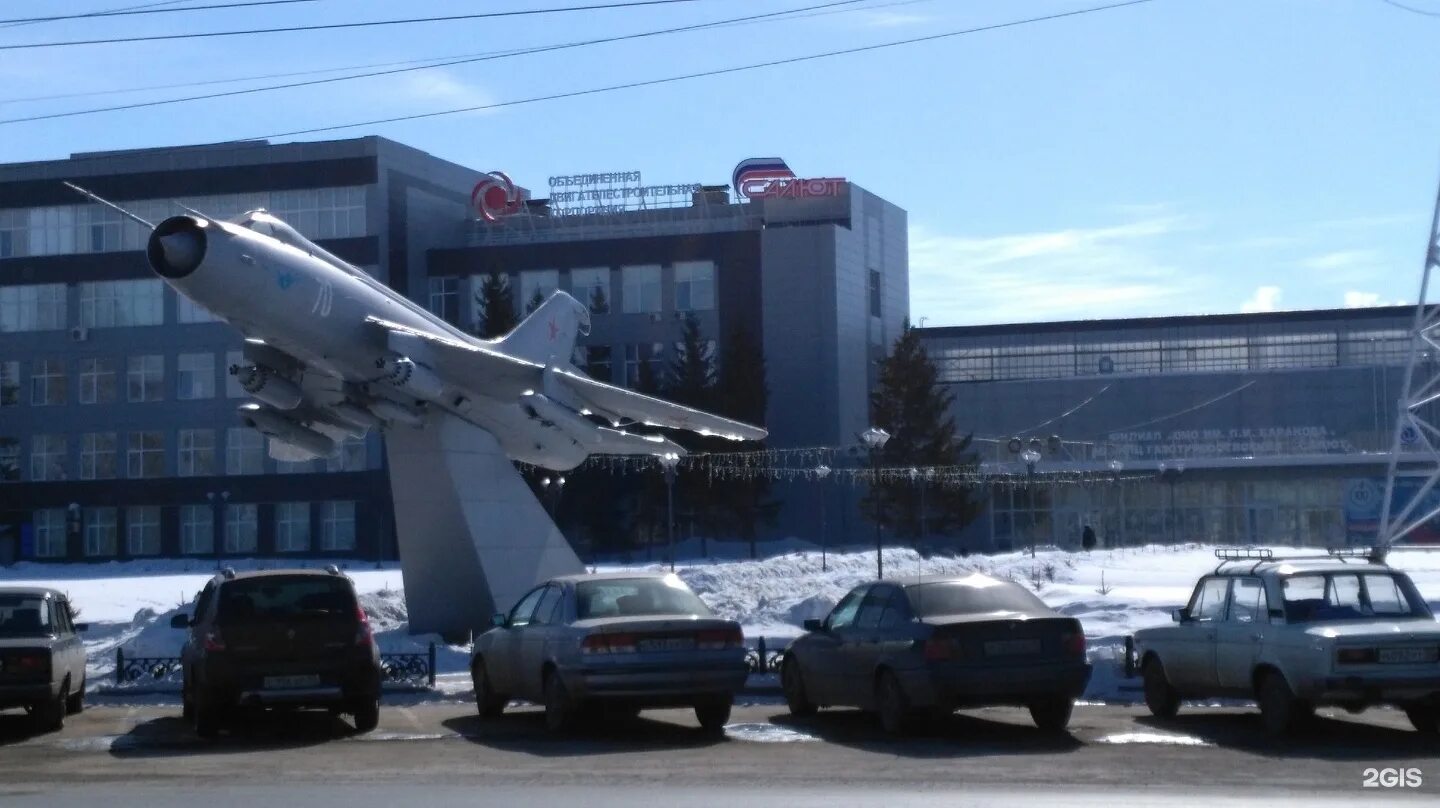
(119, 436)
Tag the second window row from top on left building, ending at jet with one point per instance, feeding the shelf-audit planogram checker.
(103, 305)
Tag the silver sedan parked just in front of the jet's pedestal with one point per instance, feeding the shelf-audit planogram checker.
(626, 642)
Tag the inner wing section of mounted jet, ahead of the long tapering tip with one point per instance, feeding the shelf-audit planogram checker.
(464, 365)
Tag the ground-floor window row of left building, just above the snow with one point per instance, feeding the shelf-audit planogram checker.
(99, 529)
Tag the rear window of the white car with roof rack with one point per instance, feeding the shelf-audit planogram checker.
(1341, 597)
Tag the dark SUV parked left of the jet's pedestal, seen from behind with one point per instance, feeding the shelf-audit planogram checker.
(279, 639)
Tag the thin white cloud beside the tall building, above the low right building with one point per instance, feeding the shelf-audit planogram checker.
(1111, 271)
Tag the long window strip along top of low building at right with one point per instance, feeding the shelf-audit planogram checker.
(967, 362)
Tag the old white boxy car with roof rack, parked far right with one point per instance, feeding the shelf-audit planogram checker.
(1295, 634)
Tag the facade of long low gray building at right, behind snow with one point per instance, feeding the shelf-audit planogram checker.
(1242, 428)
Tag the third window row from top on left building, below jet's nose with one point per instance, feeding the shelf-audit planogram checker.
(97, 380)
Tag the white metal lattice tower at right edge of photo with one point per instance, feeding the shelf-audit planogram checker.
(1419, 390)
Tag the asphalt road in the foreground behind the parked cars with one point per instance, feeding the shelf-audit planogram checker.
(113, 755)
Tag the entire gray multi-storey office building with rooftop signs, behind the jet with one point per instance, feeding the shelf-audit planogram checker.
(119, 437)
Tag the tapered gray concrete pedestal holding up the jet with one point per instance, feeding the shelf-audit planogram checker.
(473, 538)
